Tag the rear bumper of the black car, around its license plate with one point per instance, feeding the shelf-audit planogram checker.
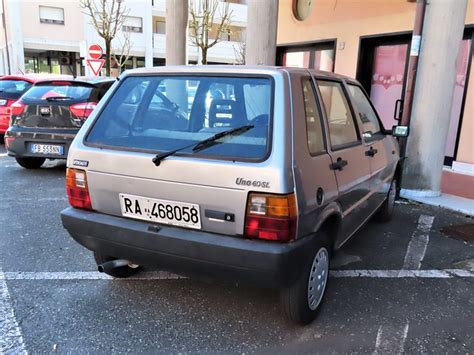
(22, 138)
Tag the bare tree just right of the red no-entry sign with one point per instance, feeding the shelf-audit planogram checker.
(107, 18)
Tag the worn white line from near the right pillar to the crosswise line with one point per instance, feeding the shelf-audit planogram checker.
(419, 242)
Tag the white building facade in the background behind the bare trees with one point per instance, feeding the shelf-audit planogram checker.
(40, 36)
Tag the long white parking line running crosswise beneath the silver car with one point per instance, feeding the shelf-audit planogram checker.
(161, 275)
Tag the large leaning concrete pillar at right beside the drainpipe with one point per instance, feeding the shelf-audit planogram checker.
(441, 39)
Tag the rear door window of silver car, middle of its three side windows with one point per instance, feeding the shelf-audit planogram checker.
(342, 126)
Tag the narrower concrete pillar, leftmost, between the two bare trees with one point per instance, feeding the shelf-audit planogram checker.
(176, 32)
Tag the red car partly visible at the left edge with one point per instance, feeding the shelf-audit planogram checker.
(12, 87)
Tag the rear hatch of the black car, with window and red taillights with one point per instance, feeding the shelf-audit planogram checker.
(55, 104)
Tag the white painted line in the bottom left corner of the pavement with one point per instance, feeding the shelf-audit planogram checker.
(11, 340)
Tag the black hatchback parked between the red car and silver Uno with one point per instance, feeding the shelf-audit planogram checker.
(47, 117)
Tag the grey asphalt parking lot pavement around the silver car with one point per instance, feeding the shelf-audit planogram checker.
(403, 286)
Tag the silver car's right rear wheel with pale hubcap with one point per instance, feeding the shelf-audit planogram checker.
(302, 301)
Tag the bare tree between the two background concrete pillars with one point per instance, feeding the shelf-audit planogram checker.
(204, 15)
